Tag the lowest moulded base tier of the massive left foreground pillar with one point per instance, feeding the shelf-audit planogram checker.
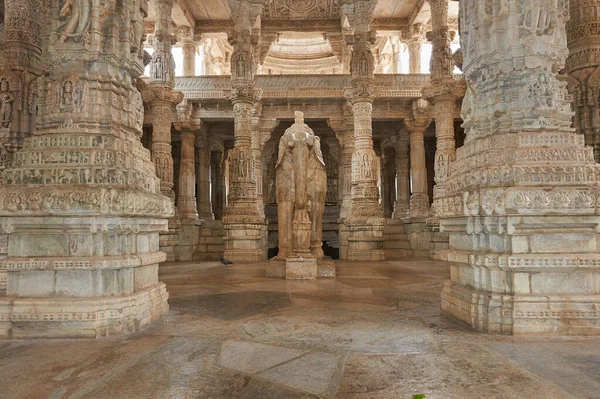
(82, 317)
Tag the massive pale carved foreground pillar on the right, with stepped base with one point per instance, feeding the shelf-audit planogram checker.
(520, 206)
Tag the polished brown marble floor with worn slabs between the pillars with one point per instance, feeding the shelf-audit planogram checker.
(374, 332)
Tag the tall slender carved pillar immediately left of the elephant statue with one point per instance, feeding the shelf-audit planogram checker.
(245, 239)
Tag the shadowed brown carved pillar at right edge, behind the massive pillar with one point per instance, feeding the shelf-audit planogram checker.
(582, 66)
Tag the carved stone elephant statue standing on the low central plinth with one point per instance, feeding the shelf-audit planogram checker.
(301, 187)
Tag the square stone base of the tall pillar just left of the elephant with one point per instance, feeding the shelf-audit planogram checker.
(245, 242)
